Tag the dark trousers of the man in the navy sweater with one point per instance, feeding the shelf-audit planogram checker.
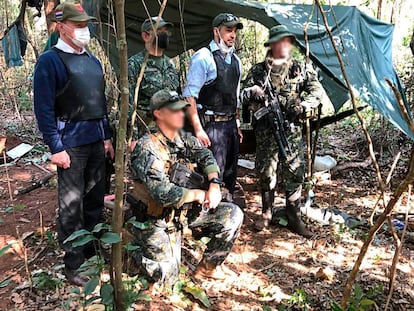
(81, 195)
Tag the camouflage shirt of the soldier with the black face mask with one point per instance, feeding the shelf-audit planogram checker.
(160, 73)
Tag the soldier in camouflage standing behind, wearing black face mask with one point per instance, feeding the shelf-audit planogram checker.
(159, 73)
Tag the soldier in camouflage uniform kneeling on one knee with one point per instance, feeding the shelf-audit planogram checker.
(160, 252)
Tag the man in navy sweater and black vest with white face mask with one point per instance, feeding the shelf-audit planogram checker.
(70, 107)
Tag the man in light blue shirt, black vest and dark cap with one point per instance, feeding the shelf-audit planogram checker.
(212, 89)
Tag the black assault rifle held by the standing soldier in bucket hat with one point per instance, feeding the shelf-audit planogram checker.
(279, 125)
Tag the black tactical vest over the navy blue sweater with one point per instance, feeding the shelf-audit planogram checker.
(83, 96)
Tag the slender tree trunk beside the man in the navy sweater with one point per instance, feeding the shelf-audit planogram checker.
(120, 155)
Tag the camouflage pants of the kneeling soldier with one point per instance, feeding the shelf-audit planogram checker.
(159, 257)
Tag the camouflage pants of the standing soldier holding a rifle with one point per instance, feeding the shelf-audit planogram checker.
(267, 159)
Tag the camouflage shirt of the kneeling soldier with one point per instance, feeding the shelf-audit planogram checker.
(155, 153)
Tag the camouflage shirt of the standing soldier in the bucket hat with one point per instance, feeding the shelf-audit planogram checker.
(294, 83)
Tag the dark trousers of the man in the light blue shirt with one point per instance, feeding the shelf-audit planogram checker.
(225, 145)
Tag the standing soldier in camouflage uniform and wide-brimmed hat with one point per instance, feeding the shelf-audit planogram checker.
(299, 91)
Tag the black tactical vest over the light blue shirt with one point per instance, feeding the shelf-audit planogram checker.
(220, 95)
